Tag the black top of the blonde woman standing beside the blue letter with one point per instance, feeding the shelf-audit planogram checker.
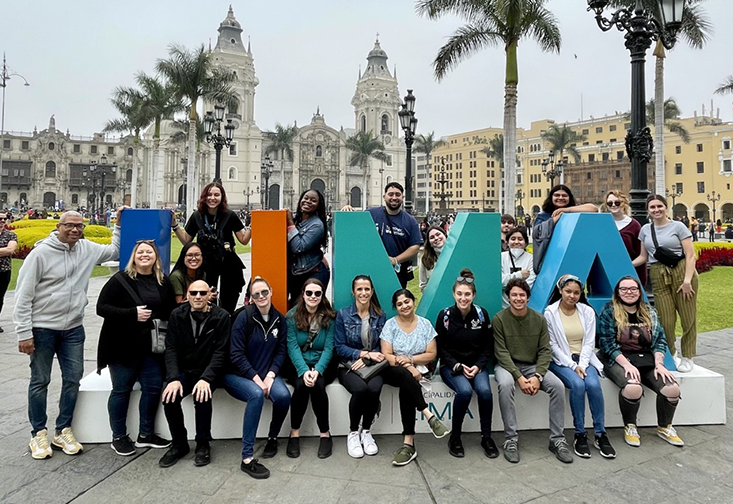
(123, 339)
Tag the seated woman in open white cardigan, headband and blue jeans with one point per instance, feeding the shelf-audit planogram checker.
(572, 327)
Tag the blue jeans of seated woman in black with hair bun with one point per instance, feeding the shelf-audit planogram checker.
(464, 388)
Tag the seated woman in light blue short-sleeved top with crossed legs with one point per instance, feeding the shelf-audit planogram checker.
(408, 343)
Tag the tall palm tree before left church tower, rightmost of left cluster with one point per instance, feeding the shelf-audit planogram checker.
(194, 77)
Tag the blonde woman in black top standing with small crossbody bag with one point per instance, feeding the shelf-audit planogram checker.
(125, 343)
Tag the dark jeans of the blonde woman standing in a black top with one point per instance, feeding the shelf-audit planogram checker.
(149, 372)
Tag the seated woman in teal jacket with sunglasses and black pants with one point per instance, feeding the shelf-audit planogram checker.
(310, 347)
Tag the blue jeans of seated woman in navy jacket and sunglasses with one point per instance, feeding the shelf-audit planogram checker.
(248, 391)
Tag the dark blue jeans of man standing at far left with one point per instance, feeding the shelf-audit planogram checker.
(68, 346)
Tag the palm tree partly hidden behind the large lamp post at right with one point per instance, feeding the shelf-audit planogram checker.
(695, 30)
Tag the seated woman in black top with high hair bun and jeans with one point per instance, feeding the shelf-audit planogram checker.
(465, 347)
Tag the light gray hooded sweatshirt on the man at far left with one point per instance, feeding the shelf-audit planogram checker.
(52, 283)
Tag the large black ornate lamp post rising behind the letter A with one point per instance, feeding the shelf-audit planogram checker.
(641, 28)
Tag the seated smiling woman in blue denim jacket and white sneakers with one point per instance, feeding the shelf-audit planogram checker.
(356, 338)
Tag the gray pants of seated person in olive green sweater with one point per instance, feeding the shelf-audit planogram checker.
(551, 385)
